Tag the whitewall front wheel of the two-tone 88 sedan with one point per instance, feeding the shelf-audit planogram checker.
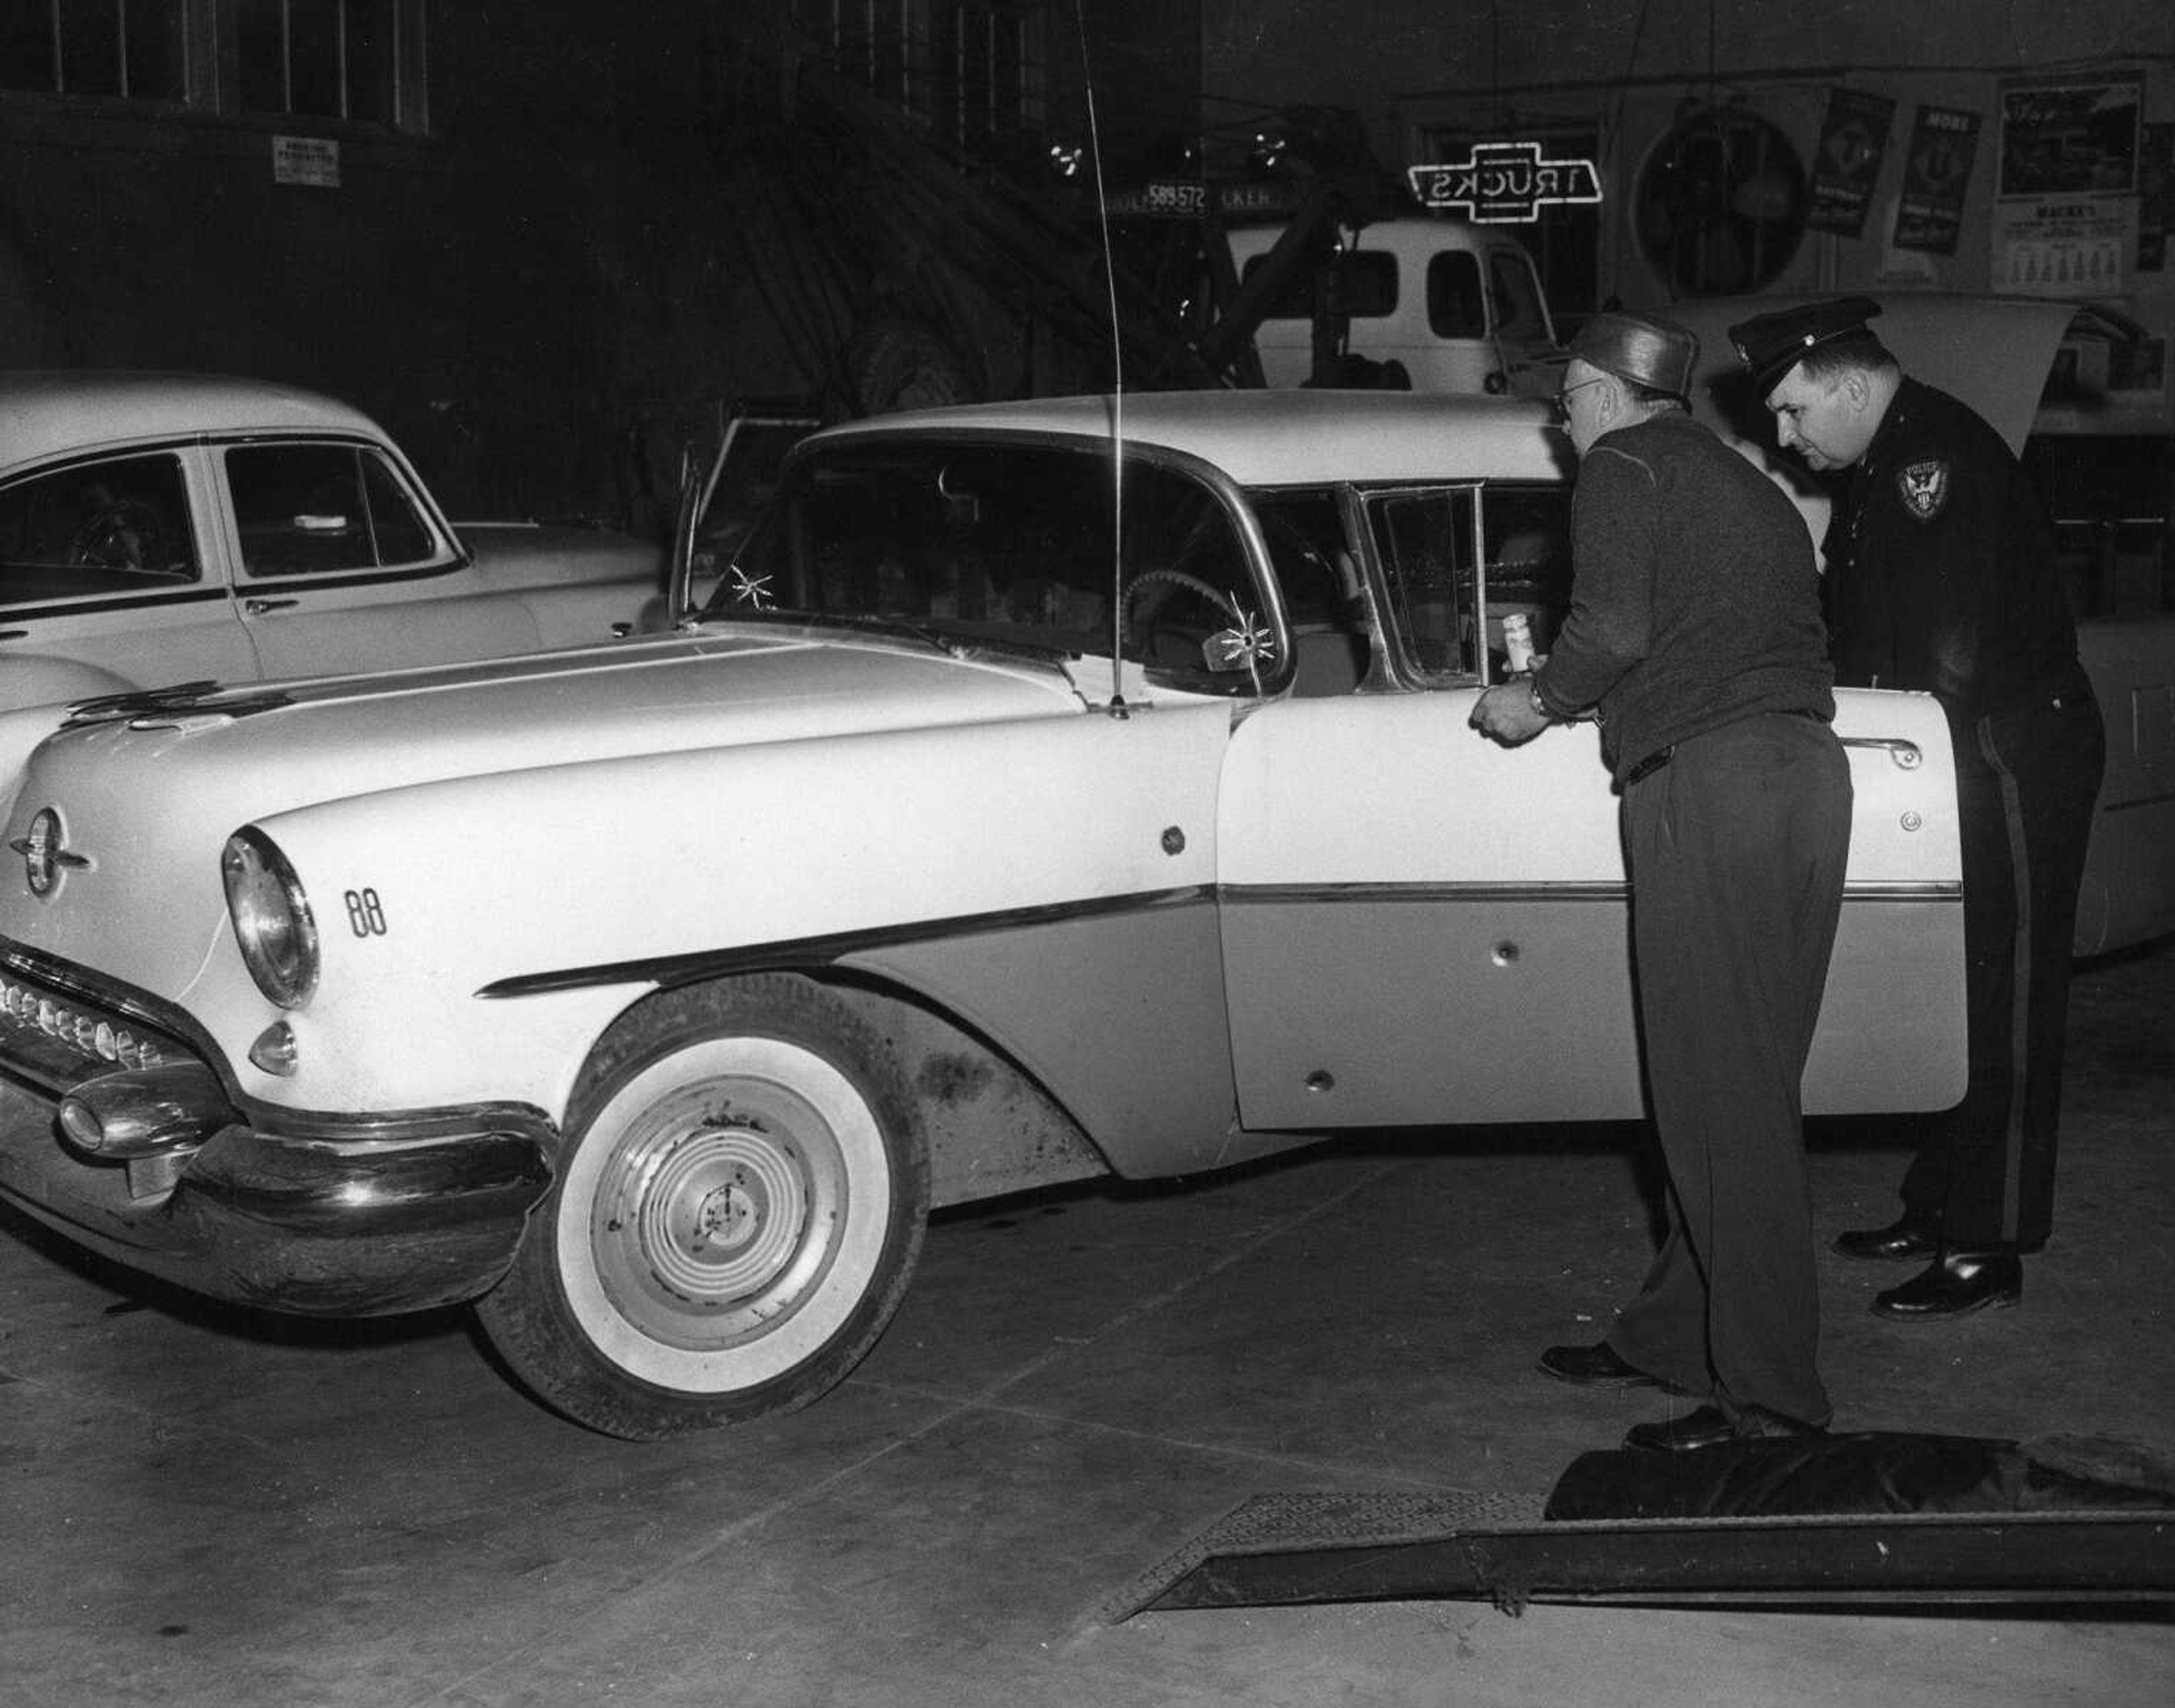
(736, 1215)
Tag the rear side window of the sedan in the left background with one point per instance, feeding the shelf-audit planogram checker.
(323, 508)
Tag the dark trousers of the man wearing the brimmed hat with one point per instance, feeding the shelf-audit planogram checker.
(1737, 856)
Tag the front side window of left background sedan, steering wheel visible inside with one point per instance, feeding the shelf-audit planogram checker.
(110, 528)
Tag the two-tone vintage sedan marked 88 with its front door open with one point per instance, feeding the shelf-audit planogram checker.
(1045, 791)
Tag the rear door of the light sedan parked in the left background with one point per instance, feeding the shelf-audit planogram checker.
(345, 567)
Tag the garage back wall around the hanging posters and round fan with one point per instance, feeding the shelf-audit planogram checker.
(1626, 75)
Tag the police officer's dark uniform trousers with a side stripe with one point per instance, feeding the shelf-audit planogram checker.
(2026, 780)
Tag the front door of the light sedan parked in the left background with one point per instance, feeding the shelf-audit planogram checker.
(110, 580)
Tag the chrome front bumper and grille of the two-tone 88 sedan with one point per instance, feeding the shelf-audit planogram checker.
(321, 1215)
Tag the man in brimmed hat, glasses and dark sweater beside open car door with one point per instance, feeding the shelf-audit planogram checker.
(1695, 636)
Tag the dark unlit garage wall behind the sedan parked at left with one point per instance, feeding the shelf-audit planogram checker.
(547, 260)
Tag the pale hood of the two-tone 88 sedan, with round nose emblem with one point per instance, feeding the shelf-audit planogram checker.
(147, 802)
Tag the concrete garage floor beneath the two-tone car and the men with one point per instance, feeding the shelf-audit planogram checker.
(203, 1509)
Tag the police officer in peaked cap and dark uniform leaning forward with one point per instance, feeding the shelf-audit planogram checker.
(1941, 575)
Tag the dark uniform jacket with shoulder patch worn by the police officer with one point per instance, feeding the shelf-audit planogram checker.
(1967, 599)
